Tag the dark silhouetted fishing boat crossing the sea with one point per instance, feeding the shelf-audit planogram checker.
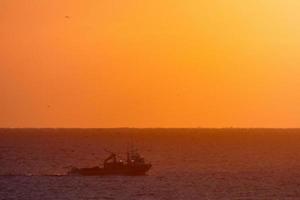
(135, 165)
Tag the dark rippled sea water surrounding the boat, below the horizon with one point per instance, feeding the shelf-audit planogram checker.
(187, 164)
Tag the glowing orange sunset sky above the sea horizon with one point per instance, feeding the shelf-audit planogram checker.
(151, 63)
